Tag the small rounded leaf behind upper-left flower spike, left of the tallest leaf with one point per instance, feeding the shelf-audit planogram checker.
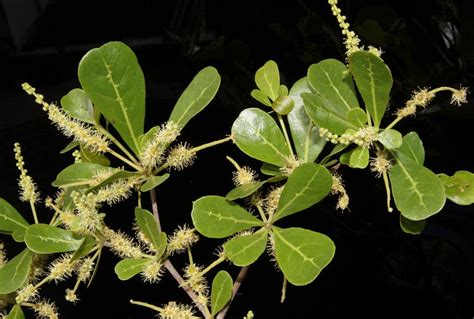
(78, 105)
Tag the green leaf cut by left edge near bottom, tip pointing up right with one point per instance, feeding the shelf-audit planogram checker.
(14, 274)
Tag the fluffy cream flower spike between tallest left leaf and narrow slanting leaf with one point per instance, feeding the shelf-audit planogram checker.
(153, 152)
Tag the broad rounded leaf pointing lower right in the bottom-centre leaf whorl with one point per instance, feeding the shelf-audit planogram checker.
(301, 254)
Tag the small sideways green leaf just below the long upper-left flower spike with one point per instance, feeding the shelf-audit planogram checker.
(77, 174)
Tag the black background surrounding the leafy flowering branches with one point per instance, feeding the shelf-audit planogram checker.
(378, 271)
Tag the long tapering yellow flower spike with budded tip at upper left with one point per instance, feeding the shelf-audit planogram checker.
(70, 127)
